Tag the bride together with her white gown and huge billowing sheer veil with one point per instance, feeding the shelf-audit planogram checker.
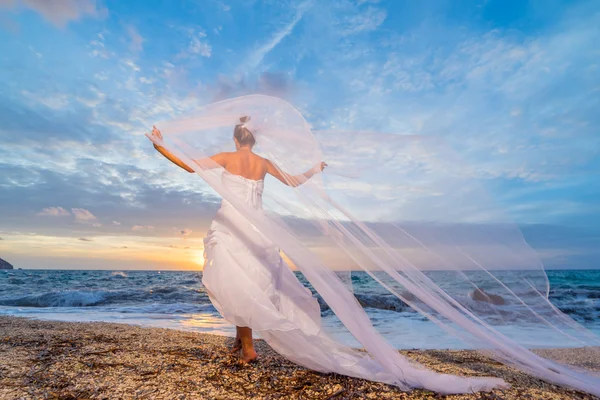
(253, 288)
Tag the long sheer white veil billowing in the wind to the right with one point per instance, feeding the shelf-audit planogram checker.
(408, 212)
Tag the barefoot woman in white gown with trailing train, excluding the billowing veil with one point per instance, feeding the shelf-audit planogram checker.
(254, 289)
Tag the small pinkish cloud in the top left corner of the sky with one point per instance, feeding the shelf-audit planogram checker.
(59, 12)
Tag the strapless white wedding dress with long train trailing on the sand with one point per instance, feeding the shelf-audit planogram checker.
(250, 285)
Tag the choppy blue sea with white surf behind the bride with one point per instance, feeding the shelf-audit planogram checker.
(177, 300)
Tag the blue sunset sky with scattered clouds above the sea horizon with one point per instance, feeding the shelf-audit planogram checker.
(512, 86)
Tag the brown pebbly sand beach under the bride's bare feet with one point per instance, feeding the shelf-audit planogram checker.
(67, 360)
